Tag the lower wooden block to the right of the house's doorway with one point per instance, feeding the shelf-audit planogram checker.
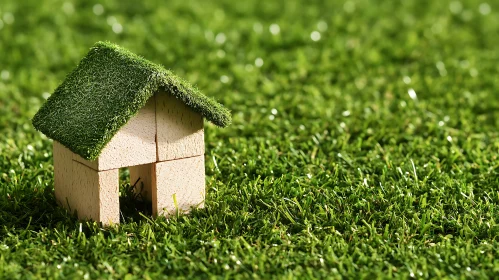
(182, 180)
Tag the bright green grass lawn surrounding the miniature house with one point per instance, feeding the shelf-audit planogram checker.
(364, 142)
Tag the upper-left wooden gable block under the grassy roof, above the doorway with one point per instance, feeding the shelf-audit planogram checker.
(133, 144)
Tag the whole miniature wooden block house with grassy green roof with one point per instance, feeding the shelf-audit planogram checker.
(118, 110)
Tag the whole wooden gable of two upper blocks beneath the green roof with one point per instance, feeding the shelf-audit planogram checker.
(164, 129)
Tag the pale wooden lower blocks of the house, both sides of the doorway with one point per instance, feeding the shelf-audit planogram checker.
(173, 186)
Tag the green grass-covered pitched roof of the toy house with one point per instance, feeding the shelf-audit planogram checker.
(107, 88)
